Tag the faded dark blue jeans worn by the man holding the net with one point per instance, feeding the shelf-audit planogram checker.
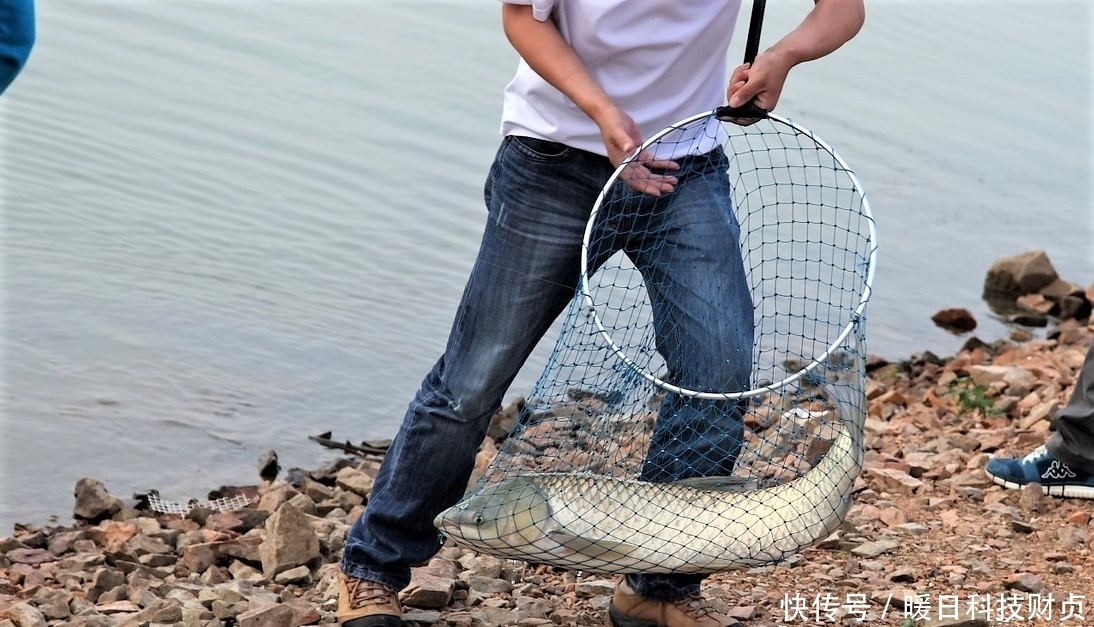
(540, 196)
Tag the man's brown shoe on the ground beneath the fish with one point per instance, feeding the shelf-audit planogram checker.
(630, 610)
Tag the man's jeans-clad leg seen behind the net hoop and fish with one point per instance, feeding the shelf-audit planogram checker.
(691, 259)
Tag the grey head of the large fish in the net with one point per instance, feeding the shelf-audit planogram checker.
(506, 515)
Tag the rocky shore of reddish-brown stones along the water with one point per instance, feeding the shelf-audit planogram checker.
(929, 541)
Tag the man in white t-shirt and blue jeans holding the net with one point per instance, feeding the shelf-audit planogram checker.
(597, 77)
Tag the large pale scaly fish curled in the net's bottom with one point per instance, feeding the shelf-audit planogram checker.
(596, 524)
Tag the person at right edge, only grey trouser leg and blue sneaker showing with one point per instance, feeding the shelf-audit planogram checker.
(1065, 465)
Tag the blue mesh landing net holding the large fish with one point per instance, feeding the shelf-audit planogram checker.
(703, 408)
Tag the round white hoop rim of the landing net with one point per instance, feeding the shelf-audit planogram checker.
(854, 320)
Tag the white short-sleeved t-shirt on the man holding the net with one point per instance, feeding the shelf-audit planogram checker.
(661, 61)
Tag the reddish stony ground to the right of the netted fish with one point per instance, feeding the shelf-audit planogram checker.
(928, 525)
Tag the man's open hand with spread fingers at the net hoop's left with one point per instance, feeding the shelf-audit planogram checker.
(645, 173)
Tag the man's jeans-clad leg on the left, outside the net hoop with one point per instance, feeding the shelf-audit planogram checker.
(539, 198)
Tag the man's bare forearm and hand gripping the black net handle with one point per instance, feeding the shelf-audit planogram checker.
(831, 25)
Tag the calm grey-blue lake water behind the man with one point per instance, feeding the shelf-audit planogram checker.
(229, 226)
